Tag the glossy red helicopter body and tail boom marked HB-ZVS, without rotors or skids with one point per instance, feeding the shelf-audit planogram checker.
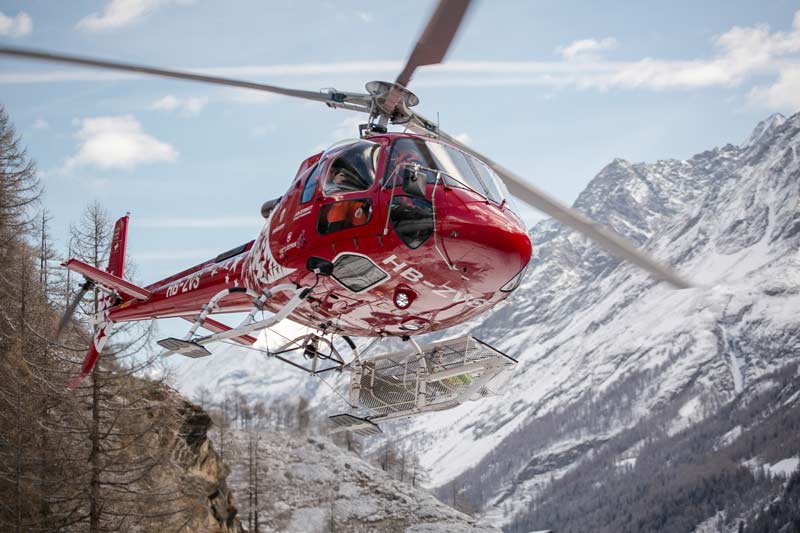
(420, 236)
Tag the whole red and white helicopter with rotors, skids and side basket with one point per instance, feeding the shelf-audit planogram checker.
(391, 234)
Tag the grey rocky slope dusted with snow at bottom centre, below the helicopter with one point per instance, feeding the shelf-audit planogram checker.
(307, 485)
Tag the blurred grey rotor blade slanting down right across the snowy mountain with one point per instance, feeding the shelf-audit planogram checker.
(566, 215)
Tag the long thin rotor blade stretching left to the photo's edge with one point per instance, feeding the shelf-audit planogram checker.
(331, 98)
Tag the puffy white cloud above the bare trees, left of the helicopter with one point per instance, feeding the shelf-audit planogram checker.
(117, 142)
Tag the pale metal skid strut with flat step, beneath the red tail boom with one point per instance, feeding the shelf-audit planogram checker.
(192, 346)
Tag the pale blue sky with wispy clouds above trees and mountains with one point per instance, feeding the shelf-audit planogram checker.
(554, 90)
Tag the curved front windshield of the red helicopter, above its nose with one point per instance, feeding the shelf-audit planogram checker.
(458, 168)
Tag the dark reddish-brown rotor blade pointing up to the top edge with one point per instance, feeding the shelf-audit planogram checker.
(435, 40)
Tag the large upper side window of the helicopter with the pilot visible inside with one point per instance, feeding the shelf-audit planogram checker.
(353, 169)
